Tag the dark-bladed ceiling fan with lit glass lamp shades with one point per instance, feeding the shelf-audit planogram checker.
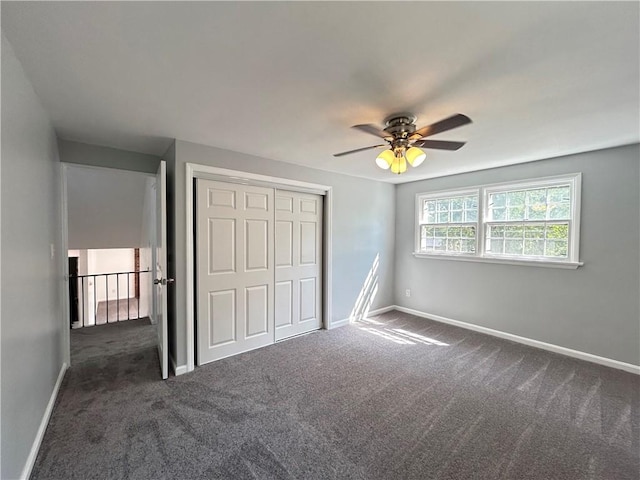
(404, 141)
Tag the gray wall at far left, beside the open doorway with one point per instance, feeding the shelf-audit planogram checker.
(31, 283)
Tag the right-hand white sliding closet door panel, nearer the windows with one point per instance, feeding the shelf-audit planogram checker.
(298, 282)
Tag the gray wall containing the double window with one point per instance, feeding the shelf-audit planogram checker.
(592, 309)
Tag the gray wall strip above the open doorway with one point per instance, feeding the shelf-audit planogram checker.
(98, 156)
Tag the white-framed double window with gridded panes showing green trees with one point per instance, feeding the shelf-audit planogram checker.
(532, 221)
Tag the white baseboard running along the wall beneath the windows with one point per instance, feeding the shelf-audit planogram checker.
(608, 362)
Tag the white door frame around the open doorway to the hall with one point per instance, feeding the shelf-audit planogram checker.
(64, 221)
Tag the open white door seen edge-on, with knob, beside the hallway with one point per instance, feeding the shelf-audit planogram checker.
(160, 269)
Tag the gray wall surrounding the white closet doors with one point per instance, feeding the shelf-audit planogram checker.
(363, 216)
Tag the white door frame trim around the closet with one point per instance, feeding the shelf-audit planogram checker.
(193, 171)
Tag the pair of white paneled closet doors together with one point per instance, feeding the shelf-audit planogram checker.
(258, 267)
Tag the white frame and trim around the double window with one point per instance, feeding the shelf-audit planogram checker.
(572, 261)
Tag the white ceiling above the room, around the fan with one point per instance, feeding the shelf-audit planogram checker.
(286, 80)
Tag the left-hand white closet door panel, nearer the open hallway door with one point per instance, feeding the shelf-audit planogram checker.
(234, 269)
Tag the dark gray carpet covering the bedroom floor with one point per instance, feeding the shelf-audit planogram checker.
(397, 397)
